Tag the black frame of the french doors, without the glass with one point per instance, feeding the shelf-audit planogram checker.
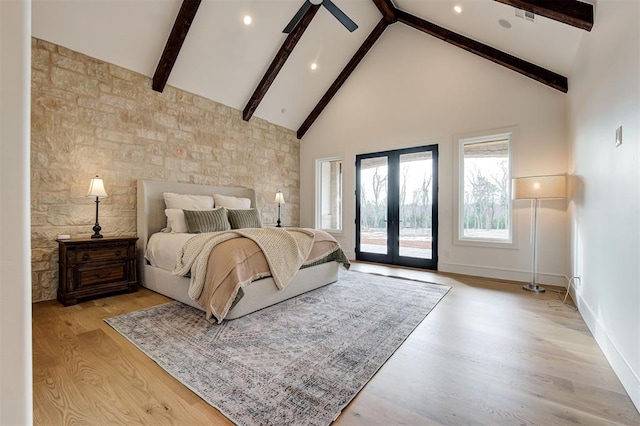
(393, 207)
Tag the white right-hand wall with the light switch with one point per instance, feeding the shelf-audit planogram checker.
(604, 210)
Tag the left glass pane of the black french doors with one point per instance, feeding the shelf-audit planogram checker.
(373, 205)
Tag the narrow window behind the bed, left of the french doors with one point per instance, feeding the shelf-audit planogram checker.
(329, 193)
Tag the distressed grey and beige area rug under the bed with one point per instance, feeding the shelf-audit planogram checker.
(299, 362)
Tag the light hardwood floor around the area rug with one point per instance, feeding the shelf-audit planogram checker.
(488, 354)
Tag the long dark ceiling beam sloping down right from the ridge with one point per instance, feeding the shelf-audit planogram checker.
(521, 66)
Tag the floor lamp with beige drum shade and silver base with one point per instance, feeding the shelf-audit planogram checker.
(536, 188)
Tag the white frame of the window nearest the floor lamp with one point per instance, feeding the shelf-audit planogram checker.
(512, 242)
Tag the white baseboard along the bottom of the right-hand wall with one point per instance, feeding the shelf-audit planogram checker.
(629, 378)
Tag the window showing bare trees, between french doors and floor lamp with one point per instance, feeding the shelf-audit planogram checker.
(484, 211)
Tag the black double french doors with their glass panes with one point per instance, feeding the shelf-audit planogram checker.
(397, 207)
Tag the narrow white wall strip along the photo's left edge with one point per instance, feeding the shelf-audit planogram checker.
(15, 254)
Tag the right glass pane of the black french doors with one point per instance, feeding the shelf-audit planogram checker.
(416, 199)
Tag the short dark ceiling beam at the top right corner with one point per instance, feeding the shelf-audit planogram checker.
(570, 12)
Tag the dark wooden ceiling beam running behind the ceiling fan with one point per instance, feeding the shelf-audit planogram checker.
(278, 62)
